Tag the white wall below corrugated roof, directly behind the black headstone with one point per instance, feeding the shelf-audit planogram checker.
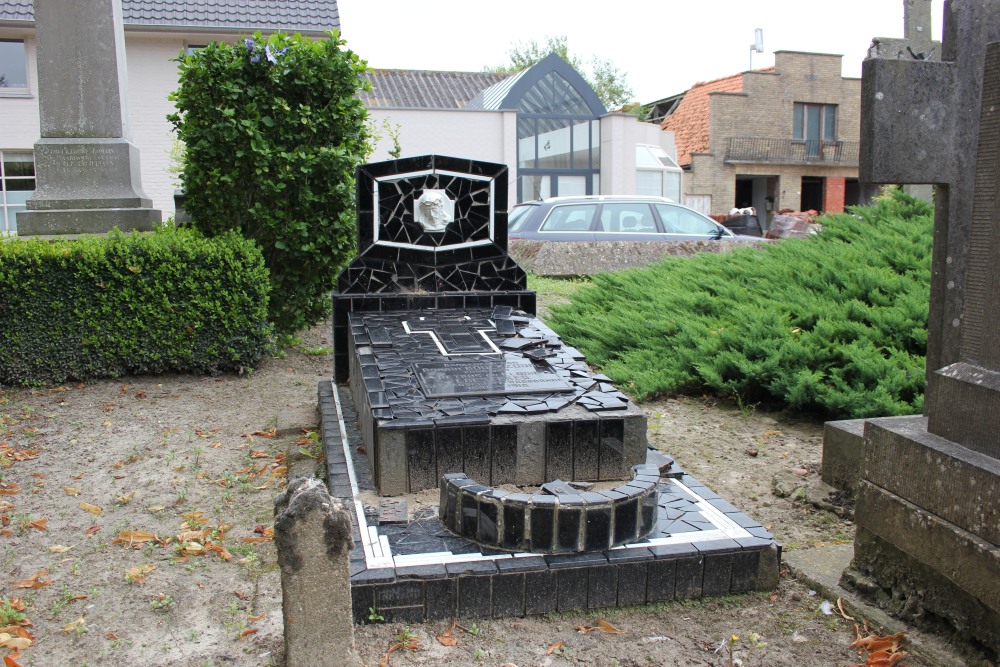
(490, 136)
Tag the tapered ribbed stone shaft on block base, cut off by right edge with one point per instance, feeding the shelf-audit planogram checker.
(964, 399)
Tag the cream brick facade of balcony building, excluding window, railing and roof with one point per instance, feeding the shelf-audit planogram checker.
(764, 109)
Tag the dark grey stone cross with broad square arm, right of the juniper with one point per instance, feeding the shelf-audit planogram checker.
(920, 124)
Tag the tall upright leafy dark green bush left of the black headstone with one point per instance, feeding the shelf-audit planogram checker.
(273, 131)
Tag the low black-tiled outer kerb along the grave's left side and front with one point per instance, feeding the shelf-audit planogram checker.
(539, 584)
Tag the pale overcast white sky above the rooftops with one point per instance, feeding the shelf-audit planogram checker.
(663, 48)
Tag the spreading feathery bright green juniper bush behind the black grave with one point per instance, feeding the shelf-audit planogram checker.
(835, 324)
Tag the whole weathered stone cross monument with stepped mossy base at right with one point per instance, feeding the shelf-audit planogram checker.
(928, 488)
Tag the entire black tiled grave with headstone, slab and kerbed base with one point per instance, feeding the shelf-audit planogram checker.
(455, 385)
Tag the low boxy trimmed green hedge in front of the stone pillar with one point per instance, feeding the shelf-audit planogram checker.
(131, 304)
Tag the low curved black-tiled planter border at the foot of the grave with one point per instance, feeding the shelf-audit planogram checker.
(551, 523)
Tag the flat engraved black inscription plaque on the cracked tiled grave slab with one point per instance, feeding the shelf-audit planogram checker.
(485, 378)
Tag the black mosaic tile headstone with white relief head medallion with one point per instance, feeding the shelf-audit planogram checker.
(432, 233)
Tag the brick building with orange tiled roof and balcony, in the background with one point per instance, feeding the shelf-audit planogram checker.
(784, 137)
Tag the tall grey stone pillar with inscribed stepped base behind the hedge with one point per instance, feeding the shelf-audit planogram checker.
(86, 168)
